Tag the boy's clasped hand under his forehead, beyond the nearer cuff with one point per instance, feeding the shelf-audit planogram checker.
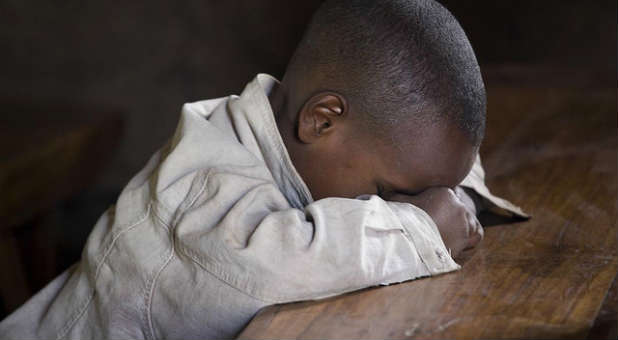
(458, 225)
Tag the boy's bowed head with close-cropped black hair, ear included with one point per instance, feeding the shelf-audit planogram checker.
(381, 95)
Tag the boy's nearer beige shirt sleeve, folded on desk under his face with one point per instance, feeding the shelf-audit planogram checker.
(333, 246)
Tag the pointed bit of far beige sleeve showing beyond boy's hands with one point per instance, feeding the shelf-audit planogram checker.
(476, 181)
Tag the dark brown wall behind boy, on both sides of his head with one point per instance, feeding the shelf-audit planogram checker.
(147, 58)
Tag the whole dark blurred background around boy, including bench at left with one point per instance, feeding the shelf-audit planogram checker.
(90, 89)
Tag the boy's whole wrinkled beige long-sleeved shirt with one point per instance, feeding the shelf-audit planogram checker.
(218, 225)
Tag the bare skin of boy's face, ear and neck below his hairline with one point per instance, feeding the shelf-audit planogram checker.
(337, 158)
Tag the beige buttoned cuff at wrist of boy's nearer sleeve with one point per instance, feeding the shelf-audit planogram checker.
(421, 230)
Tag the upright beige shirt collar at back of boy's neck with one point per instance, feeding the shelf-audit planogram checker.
(254, 103)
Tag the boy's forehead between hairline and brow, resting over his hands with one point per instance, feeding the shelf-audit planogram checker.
(437, 154)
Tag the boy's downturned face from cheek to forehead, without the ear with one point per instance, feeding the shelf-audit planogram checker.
(351, 163)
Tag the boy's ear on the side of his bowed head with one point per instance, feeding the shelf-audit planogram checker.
(320, 116)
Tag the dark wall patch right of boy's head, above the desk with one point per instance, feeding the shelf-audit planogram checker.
(565, 32)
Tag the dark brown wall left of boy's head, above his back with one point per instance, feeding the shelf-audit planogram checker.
(143, 58)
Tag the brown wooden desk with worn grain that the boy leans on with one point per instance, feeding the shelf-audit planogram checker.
(552, 151)
